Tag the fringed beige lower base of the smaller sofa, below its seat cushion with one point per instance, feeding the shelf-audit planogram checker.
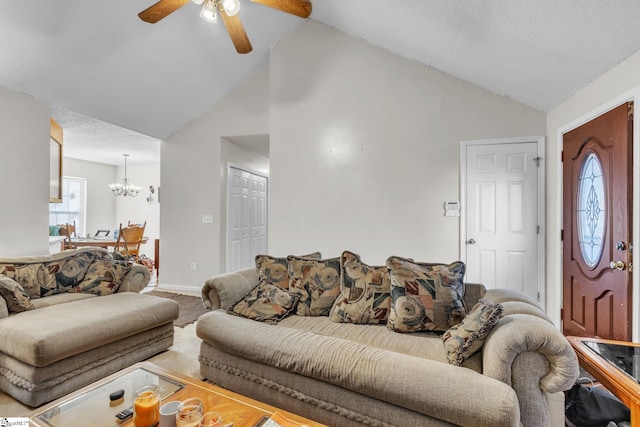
(35, 386)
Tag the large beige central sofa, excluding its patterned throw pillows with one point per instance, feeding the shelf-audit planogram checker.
(345, 374)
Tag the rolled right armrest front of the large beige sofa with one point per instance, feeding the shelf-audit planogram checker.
(528, 353)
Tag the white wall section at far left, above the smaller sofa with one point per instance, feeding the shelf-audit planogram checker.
(24, 174)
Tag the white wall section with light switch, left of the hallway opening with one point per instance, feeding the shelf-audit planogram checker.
(192, 174)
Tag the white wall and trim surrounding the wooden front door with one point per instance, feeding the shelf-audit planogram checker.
(614, 86)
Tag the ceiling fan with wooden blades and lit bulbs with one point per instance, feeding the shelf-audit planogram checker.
(228, 11)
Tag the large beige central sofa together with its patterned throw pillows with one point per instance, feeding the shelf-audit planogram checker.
(346, 368)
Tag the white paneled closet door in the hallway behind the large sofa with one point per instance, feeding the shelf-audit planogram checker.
(246, 219)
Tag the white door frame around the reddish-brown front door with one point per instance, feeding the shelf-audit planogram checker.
(629, 96)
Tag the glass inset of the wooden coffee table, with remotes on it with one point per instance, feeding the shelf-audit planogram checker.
(93, 406)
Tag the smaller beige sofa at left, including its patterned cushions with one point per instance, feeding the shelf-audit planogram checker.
(71, 318)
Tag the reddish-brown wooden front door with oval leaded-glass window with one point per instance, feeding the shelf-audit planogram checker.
(597, 196)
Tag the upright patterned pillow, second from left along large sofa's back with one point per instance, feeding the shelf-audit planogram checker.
(317, 281)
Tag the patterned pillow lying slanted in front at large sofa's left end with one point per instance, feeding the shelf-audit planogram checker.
(265, 303)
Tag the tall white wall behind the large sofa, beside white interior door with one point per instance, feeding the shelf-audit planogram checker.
(365, 148)
